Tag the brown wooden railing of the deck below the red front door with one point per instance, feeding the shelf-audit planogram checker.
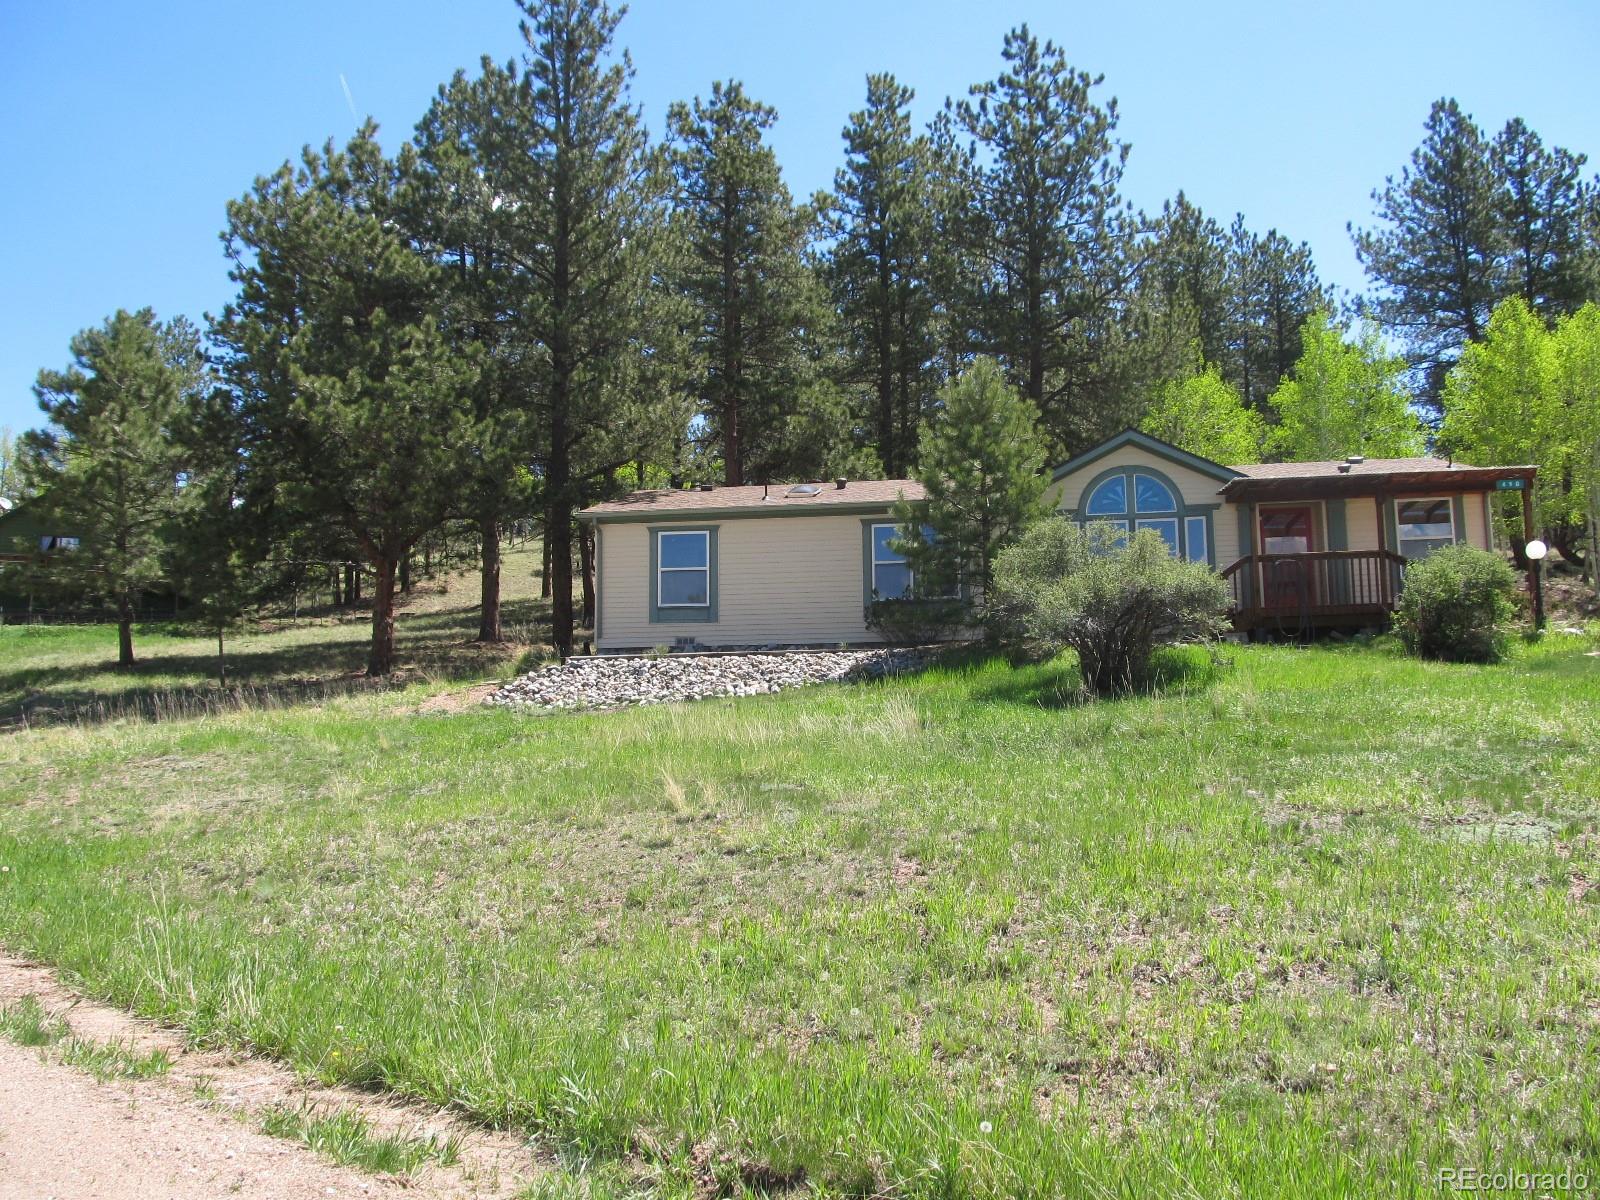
(1321, 583)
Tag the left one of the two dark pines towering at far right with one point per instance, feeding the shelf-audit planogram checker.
(1438, 249)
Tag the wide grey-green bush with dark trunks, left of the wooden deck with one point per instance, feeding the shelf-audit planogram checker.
(1111, 599)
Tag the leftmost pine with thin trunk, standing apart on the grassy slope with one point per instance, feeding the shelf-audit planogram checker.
(108, 468)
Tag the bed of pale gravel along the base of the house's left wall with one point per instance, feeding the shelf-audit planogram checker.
(607, 682)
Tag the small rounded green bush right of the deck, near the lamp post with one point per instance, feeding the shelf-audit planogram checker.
(1455, 606)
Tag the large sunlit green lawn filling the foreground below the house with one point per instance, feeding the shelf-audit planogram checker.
(1319, 922)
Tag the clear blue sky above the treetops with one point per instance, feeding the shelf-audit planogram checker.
(129, 127)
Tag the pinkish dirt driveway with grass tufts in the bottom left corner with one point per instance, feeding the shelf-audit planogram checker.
(193, 1134)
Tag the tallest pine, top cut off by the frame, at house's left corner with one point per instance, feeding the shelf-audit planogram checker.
(590, 199)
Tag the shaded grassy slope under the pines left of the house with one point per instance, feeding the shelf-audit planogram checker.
(70, 671)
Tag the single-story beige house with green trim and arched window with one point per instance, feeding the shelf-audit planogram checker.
(1300, 545)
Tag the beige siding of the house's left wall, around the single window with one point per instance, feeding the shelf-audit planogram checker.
(780, 580)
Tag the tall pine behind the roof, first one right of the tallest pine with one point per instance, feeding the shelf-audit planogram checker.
(745, 274)
